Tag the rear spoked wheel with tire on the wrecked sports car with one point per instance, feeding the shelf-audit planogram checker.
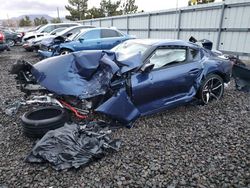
(212, 88)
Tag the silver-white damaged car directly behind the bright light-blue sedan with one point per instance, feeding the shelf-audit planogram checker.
(57, 36)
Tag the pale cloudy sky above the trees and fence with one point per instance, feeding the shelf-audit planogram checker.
(15, 8)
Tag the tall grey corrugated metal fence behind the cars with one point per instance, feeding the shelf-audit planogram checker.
(227, 24)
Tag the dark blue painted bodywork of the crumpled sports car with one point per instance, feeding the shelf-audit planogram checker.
(129, 93)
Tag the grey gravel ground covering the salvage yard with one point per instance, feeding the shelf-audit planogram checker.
(190, 146)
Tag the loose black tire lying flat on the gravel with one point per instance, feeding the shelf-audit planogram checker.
(38, 122)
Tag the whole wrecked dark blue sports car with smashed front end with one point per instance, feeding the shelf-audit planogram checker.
(136, 78)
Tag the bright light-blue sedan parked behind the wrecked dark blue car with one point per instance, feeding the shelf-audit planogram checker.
(88, 39)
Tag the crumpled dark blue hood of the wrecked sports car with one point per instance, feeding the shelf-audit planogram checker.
(82, 74)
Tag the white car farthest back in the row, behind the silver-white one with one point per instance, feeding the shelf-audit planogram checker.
(46, 29)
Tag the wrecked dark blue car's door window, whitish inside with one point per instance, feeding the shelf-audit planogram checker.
(166, 56)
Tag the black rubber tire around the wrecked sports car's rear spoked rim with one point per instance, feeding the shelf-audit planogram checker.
(204, 82)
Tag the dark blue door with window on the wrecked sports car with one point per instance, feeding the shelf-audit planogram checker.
(171, 82)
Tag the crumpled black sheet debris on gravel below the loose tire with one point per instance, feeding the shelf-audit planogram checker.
(74, 145)
